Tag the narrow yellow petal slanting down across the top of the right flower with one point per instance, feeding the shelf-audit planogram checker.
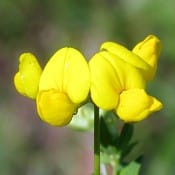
(125, 54)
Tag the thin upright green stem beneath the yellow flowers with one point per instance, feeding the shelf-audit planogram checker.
(96, 141)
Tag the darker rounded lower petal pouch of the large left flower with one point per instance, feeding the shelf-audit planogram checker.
(55, 108)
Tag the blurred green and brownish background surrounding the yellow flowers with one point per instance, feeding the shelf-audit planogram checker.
(30, 147)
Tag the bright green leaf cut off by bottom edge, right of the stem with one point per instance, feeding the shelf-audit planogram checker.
(131, 169)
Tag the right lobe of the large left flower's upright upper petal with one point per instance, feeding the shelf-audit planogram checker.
(77, 76)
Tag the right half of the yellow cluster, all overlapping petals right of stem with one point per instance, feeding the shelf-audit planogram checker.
(118, 78)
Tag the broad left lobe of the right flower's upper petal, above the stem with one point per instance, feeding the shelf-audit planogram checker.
(105, 84)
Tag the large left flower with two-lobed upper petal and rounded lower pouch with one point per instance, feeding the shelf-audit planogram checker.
(63, 86)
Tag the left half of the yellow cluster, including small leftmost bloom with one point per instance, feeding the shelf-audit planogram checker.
(61, 87)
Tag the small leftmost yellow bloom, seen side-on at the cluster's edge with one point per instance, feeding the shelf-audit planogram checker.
(27, 79)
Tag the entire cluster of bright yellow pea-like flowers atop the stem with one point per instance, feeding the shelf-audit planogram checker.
(115, 78)
